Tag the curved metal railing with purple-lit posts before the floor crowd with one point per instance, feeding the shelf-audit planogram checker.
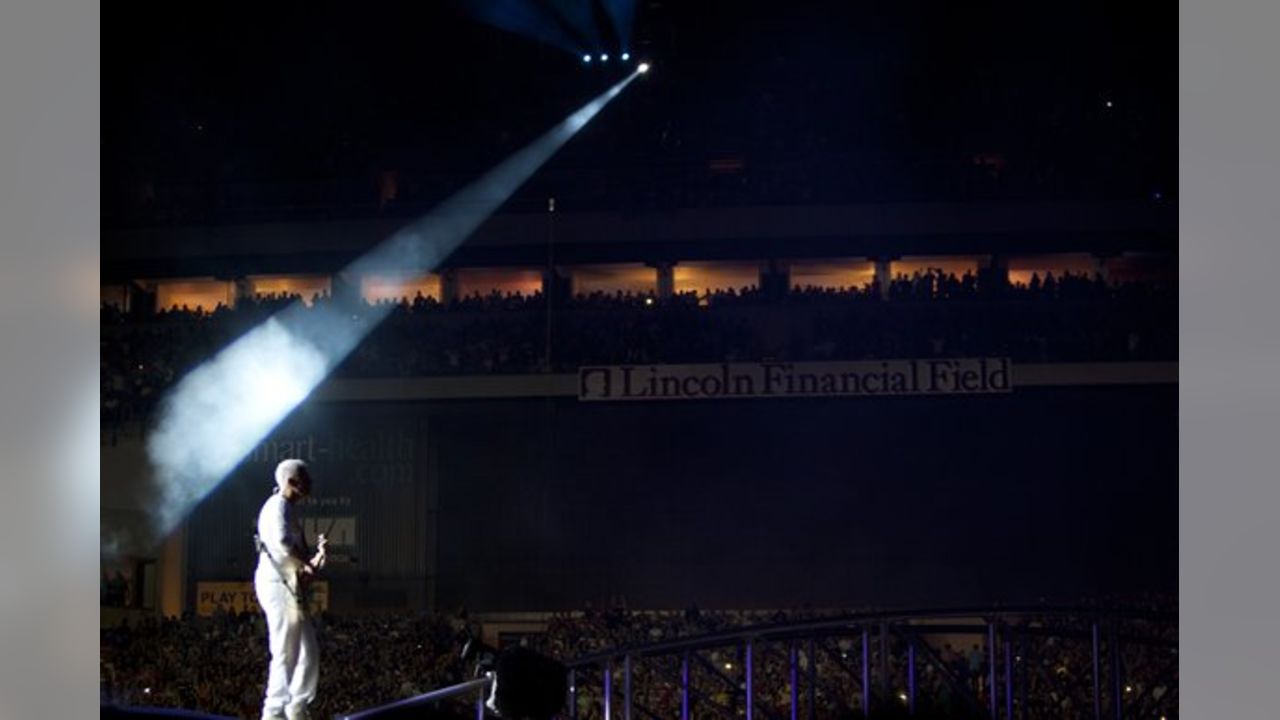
(893, 662)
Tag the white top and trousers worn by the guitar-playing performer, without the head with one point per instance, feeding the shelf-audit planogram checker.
(291, 683)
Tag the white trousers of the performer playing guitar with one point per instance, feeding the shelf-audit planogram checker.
(291, 683)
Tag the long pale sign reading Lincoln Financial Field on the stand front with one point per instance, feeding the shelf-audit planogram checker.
(964, 376)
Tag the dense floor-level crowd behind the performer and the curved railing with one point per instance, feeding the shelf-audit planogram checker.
(218, 664)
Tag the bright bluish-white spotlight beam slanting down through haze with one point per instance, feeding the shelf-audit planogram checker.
(220, 412)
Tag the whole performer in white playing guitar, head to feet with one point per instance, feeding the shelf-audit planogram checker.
(284, 572)
